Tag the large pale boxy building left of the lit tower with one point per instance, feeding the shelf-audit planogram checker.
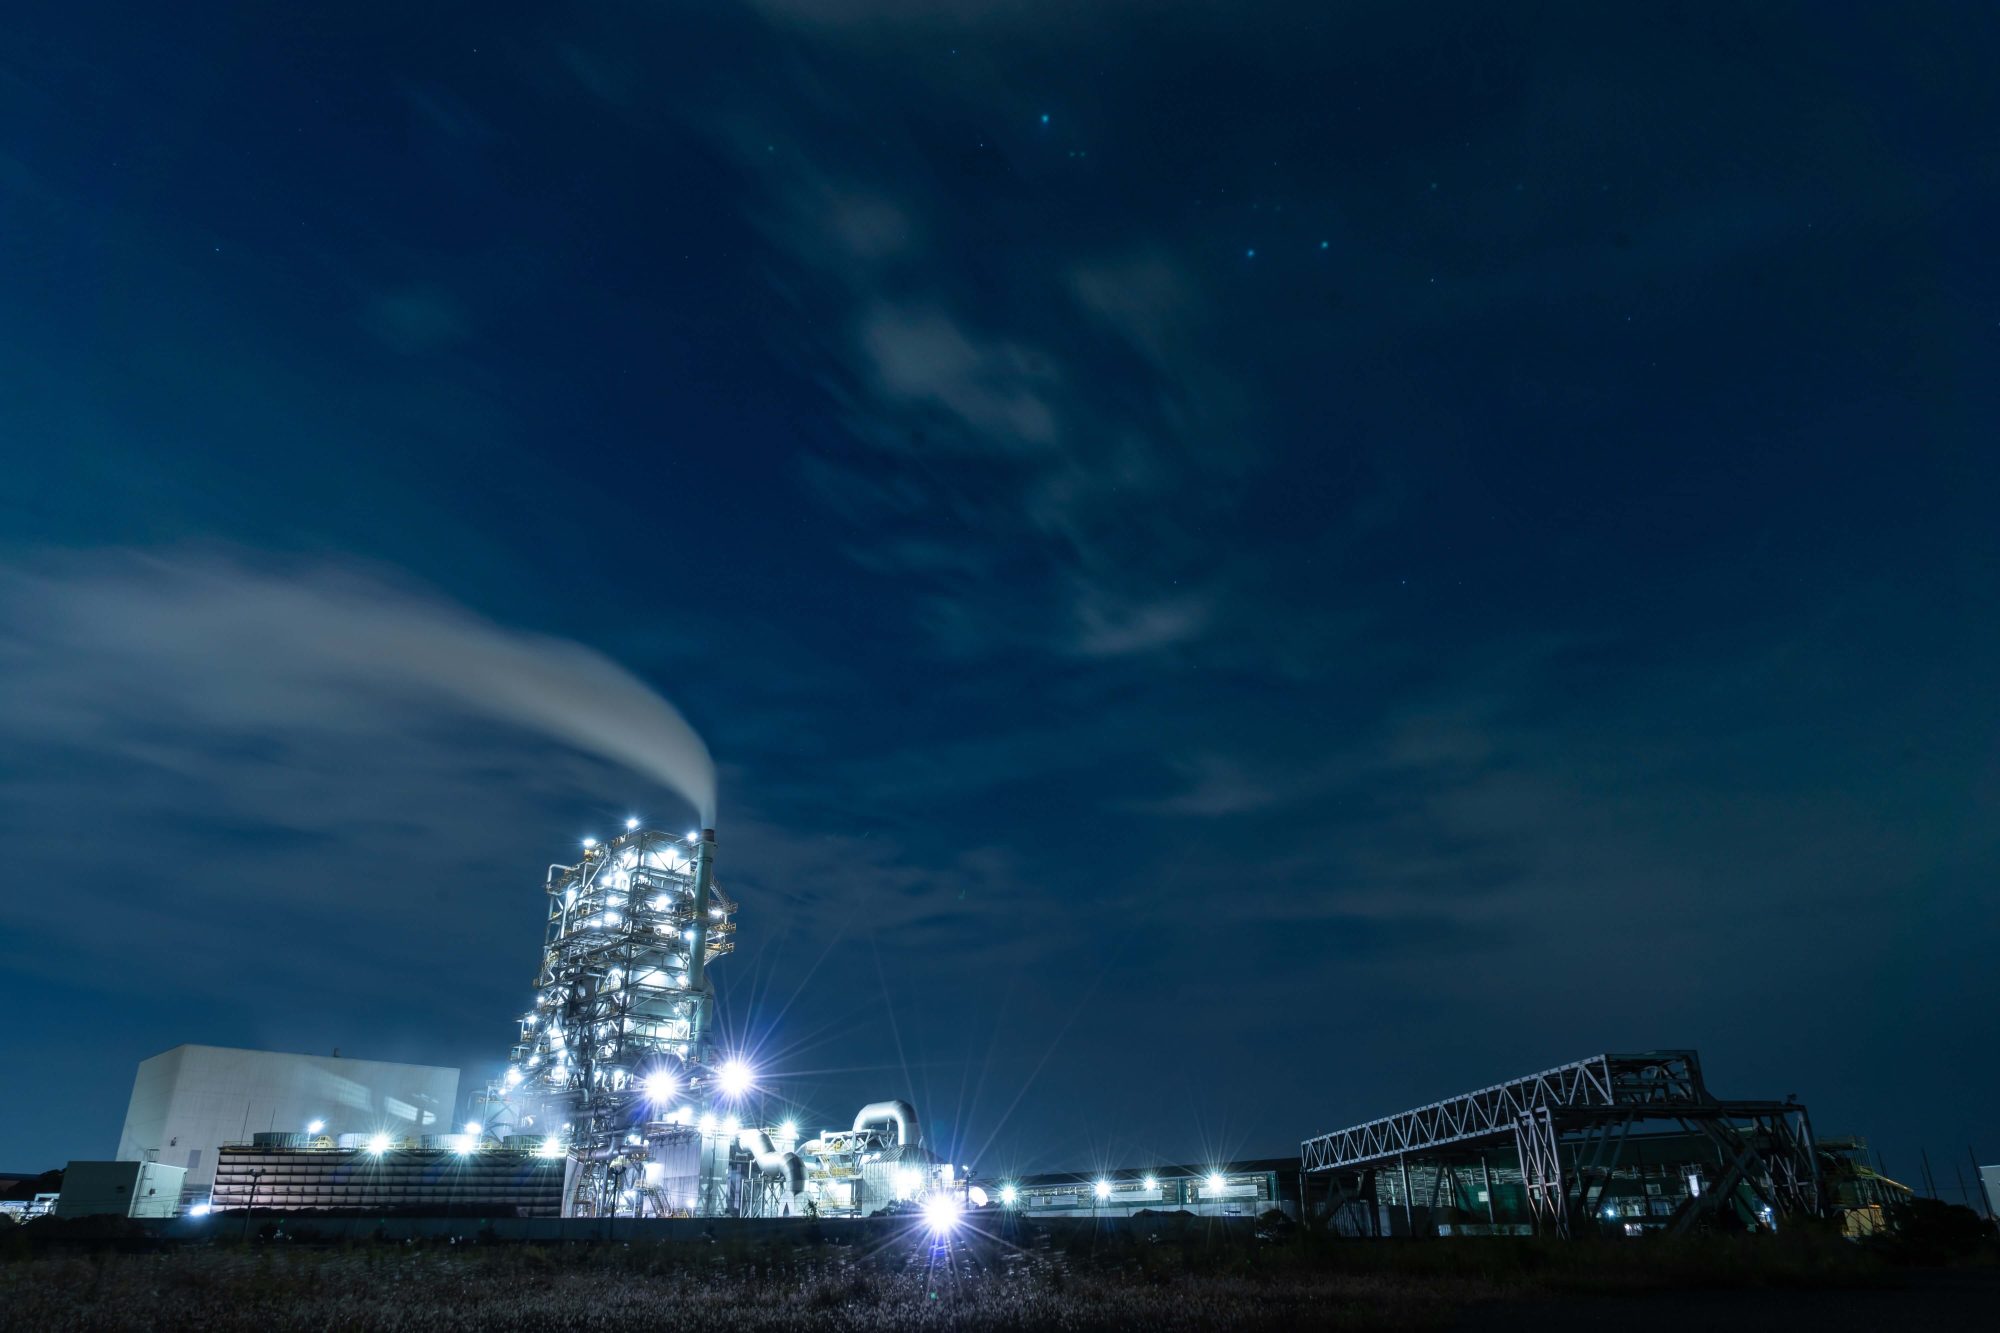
(191, 1102)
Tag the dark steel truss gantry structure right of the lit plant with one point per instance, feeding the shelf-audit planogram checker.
(1571, 1130)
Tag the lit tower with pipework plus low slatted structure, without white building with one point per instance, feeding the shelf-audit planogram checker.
(617, 1100)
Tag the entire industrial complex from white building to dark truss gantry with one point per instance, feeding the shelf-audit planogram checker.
(617, 1102)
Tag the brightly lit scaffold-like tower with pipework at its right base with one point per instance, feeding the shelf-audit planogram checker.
(617, 1070)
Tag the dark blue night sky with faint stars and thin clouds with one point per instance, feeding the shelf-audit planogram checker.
(1243, 565)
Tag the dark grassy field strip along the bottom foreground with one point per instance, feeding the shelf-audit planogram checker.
(1045, 1278)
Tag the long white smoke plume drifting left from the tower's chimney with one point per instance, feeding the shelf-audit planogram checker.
(139, 639)
